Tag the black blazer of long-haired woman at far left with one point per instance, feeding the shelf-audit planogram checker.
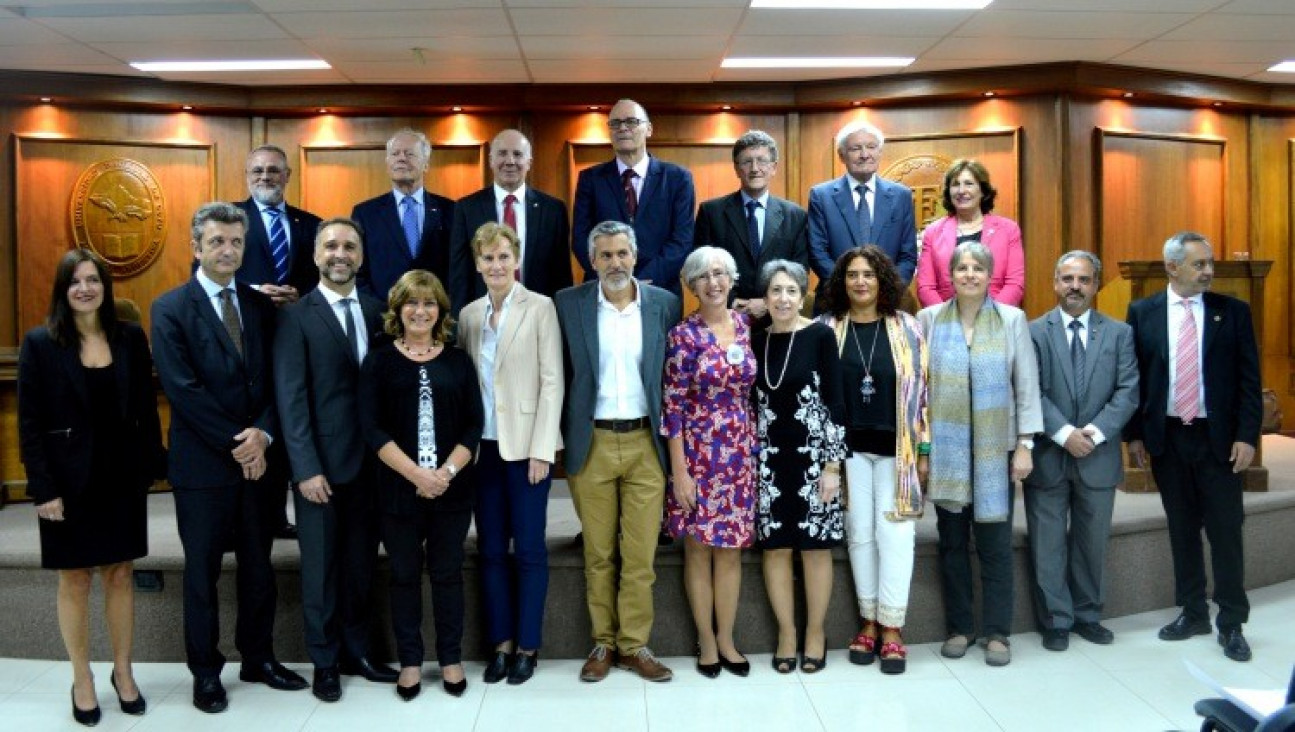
(55, 433)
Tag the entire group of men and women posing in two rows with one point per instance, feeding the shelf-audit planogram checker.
(744, 426)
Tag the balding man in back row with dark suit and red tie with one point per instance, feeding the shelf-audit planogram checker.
(539, 220)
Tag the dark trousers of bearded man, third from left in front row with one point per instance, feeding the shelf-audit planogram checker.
(340, 546)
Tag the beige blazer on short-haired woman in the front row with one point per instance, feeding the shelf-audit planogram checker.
(529, 382)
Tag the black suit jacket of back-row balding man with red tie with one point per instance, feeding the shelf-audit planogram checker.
(546, 258)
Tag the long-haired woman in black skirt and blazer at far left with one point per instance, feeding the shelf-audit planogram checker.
(93, 445)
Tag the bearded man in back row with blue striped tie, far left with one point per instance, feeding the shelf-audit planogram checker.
(279, 252)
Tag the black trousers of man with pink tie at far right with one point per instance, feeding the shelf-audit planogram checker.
(1200, 492)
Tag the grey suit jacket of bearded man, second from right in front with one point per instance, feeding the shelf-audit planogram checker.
(1110, 397)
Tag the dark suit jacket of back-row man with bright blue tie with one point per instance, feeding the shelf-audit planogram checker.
(387, 257)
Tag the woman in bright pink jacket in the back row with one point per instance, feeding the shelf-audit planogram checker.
(969, 199)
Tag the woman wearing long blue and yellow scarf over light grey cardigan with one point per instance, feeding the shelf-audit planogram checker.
(985, 413)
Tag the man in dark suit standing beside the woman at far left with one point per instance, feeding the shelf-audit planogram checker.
(212, 344)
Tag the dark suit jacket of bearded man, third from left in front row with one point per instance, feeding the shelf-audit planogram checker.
(317, 387)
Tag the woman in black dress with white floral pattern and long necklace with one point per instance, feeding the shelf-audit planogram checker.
(800, 413)
